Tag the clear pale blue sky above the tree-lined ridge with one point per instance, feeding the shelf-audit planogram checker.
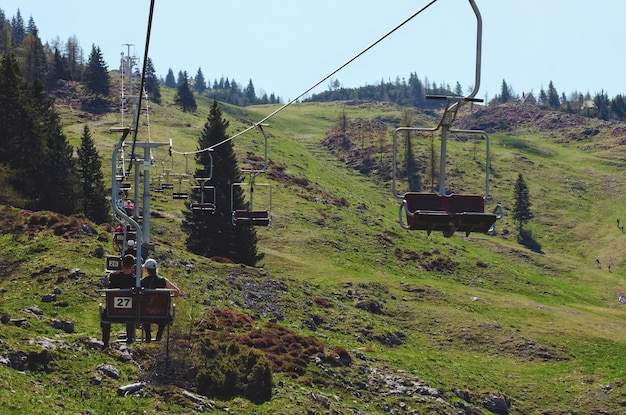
(287, 46)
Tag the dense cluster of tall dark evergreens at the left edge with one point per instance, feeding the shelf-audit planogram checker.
(39, 170)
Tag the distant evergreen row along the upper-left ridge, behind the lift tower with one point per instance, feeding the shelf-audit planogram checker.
(54, 62)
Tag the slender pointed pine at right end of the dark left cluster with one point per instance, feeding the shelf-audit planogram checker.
(94, 201)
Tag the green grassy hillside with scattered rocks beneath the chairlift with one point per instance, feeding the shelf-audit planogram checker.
(431, 324)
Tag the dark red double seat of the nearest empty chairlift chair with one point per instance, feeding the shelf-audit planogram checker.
(448, 214)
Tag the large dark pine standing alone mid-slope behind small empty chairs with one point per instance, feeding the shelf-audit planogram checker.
(213, 234)
